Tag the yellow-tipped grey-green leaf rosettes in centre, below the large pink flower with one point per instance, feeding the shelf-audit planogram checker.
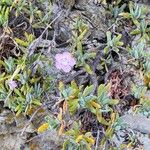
(77, 97)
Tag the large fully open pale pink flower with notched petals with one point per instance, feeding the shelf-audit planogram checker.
(65, 61)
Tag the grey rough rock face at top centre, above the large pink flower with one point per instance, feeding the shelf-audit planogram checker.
(91, 15)
